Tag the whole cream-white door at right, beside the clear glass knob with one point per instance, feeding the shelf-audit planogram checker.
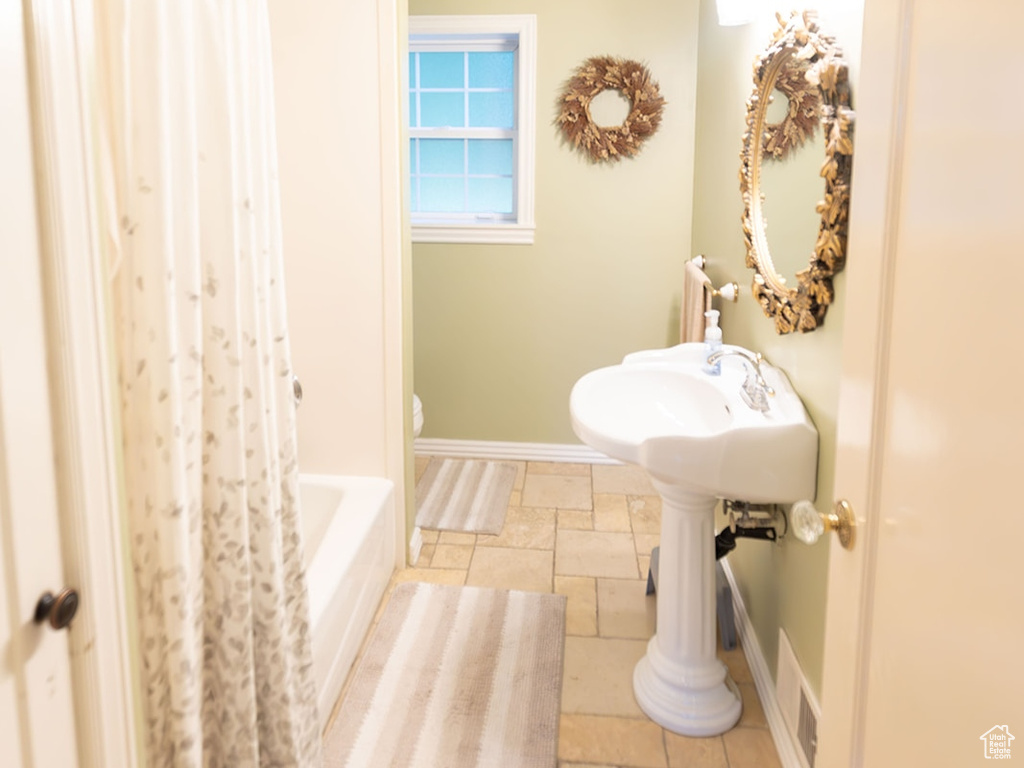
(926, 614)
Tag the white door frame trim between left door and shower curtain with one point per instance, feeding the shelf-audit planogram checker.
(64, 79)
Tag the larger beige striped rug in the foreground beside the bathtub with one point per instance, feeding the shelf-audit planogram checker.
(456, 677)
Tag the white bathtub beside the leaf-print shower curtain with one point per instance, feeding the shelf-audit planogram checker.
(350, 536)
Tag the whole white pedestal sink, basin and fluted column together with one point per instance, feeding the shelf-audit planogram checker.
(700, 442)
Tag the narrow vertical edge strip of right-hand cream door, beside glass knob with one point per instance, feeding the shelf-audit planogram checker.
(863, 399)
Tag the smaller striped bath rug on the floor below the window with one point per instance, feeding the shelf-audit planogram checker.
(464, 495)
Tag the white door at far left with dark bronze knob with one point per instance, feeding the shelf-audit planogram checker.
(37, 727)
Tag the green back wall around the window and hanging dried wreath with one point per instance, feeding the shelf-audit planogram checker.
(503, 332)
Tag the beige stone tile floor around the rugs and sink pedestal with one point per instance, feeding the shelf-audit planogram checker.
(586, 532)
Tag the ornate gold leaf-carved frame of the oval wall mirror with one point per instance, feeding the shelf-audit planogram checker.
(807, 67)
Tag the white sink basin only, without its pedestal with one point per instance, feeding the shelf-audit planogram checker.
(658, 409)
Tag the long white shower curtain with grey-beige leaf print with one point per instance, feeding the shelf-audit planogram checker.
(206, 385)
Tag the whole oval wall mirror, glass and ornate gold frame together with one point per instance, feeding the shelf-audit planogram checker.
(795, 175)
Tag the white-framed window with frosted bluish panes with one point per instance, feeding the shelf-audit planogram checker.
(472, 129)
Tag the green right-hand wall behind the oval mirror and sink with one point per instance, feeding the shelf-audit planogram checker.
(785, 585)
